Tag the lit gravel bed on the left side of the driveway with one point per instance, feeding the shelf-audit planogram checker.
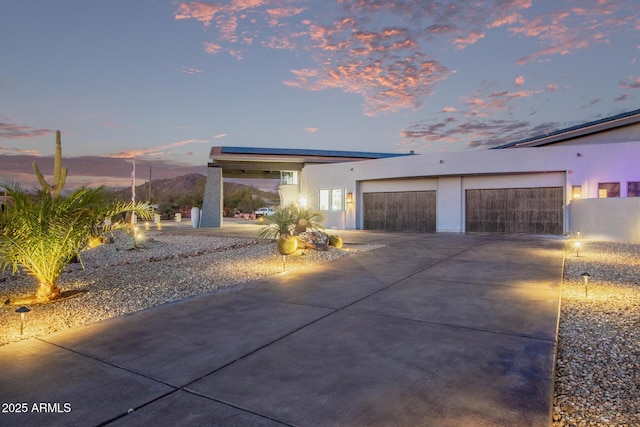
(119, 279)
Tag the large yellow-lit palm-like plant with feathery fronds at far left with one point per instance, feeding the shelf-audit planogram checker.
(43, 236)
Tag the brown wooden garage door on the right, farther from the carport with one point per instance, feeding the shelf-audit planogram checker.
(515, 210)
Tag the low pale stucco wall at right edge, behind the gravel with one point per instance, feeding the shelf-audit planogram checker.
(612, 219)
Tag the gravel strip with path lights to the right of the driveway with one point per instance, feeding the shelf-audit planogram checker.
(598, 366)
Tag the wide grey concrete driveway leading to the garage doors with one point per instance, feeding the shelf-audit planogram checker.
(432, 329)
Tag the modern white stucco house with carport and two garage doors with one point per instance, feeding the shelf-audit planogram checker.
(581, 179)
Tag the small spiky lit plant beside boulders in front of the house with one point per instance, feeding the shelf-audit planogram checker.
(292, 220)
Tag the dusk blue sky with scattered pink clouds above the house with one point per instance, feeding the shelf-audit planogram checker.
(163, 81)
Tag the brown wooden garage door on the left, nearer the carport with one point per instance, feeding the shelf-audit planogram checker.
(400, 211)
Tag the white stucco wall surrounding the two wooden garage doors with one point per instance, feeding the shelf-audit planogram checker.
(454, 172)
